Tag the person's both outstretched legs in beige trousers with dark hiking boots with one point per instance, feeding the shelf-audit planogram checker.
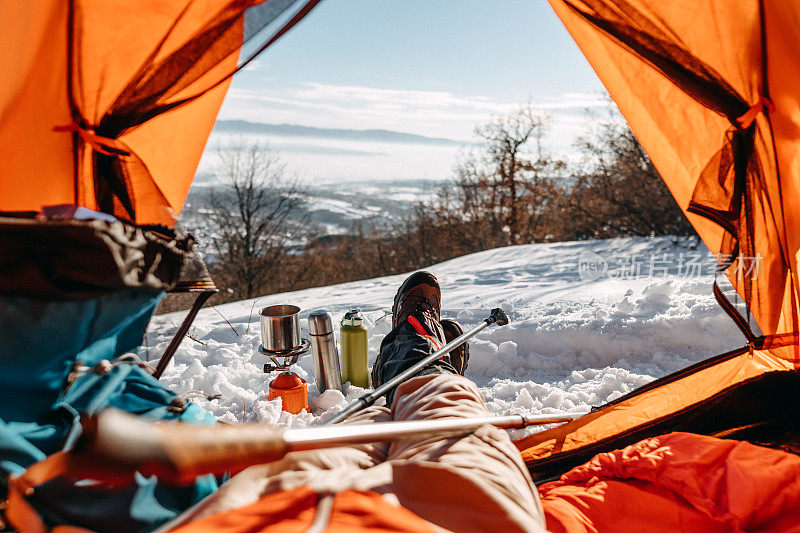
(473, 483)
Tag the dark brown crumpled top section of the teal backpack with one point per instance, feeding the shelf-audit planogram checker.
(81, 259)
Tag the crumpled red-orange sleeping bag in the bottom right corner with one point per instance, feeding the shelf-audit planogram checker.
(678, 482)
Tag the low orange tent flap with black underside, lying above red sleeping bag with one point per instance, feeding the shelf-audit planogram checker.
(745, 393)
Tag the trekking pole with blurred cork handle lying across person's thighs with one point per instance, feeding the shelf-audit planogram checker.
(115, 444)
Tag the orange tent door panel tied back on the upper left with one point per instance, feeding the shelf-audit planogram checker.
(108, 103)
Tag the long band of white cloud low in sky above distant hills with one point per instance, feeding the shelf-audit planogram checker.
(430, 113)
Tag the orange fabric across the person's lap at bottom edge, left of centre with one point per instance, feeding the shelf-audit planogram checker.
(295, 511)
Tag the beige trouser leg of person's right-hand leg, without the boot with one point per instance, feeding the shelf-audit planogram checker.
(473, 483)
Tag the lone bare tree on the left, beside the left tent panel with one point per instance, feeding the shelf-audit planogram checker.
(257, 215)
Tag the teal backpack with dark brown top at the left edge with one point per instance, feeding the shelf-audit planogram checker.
(75, 300)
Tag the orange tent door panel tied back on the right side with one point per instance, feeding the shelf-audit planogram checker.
(710, 89)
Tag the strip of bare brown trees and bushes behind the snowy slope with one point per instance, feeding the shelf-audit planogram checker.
(505, 190)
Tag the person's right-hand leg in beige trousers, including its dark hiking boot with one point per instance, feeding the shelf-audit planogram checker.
(473, 483)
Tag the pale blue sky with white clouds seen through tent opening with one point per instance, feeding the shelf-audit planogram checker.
(430, 67)
